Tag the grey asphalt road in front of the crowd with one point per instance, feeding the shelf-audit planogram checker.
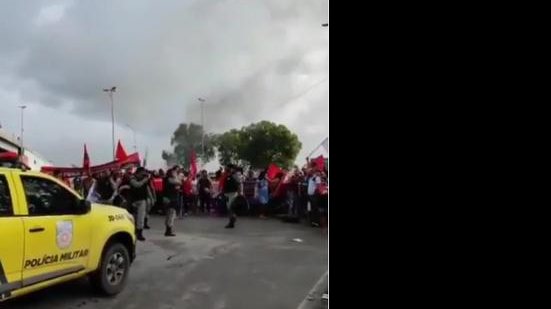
(257, 265)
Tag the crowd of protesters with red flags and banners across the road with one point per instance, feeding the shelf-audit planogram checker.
(300, 194)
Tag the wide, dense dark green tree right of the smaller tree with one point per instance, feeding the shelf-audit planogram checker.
(258, 145)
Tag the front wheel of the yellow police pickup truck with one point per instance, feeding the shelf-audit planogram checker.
(111, 276)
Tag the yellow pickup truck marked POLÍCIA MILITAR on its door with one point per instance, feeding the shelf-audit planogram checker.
(49, 234)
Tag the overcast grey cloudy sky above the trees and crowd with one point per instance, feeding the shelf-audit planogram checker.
(251, 60)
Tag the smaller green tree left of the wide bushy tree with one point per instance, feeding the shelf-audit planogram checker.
(188, 137)
